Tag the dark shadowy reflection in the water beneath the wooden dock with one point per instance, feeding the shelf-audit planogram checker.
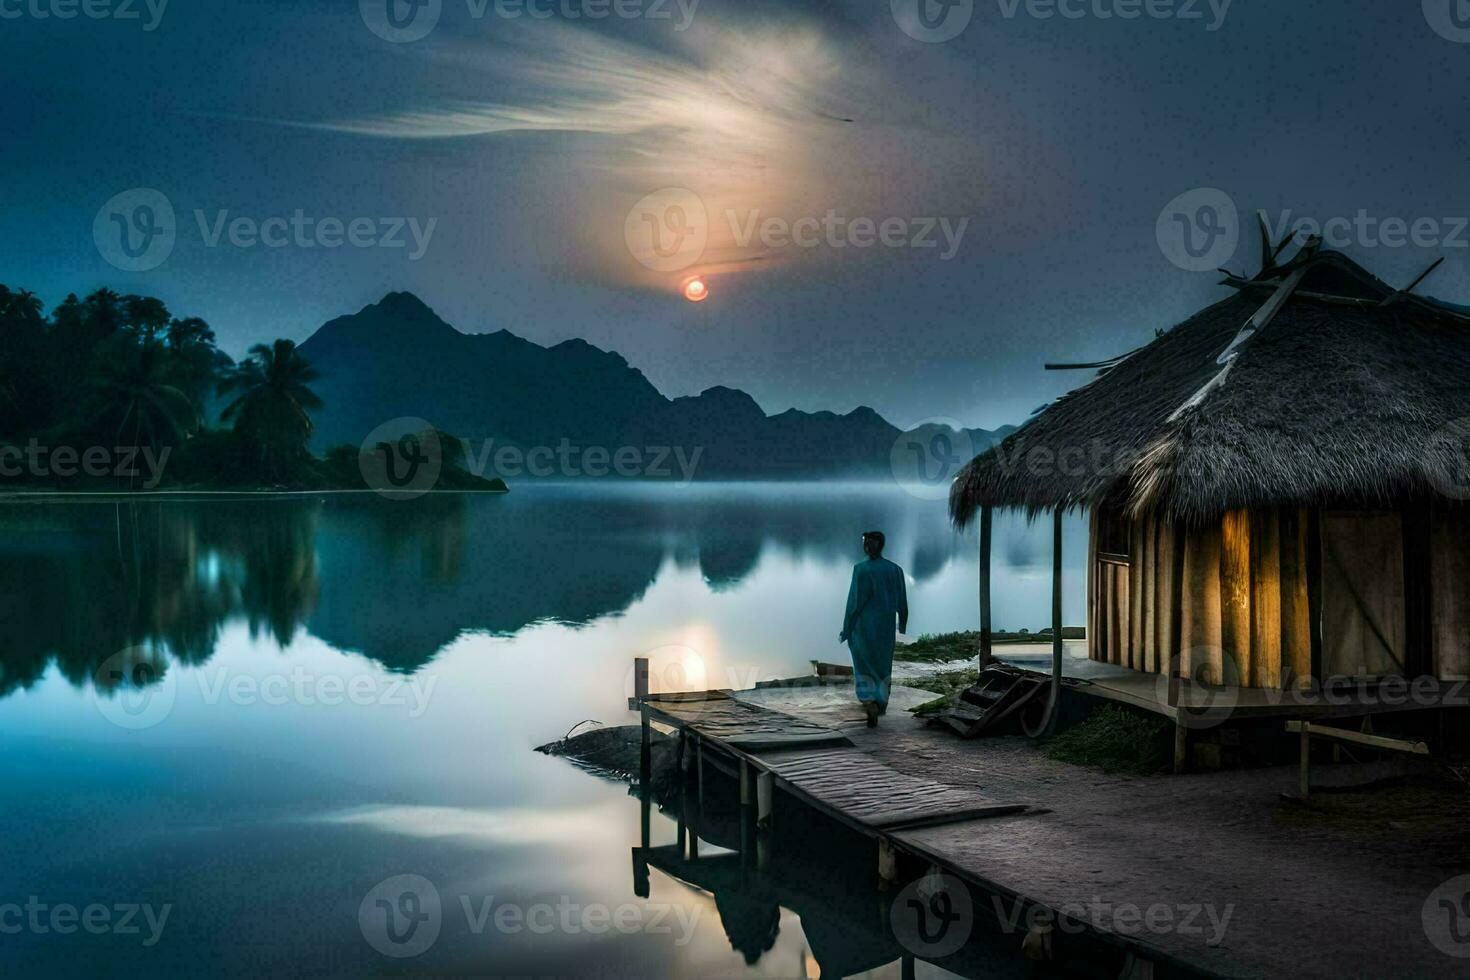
(824, 875)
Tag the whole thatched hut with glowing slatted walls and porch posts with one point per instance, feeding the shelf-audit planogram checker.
(1275, 486)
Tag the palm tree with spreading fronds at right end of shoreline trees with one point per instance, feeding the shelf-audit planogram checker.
(273, 409)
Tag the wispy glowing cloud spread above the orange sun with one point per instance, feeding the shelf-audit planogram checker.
(756, 121)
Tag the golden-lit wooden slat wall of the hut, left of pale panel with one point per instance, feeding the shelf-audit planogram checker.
(1224, 603)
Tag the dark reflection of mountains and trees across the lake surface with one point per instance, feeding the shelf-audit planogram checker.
(401, 581)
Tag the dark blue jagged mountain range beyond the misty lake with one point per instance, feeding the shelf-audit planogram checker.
(398, 359)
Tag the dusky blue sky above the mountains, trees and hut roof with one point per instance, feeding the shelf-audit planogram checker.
(1055, 142)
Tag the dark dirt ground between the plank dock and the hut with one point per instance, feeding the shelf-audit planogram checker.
(1215, 869)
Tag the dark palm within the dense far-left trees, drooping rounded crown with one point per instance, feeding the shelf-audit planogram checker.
(135, 394)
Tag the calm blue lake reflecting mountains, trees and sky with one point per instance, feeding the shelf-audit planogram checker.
(227, 724)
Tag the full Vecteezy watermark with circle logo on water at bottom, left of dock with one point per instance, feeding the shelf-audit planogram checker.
(404, 918)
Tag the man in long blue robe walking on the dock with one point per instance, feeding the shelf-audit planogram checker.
(874, 600)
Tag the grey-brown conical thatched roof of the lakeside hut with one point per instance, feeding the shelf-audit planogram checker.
(1352, 392)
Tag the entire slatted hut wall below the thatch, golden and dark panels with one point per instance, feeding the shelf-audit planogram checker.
(1228, 603)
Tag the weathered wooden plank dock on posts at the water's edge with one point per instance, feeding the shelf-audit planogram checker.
(792, 738)
